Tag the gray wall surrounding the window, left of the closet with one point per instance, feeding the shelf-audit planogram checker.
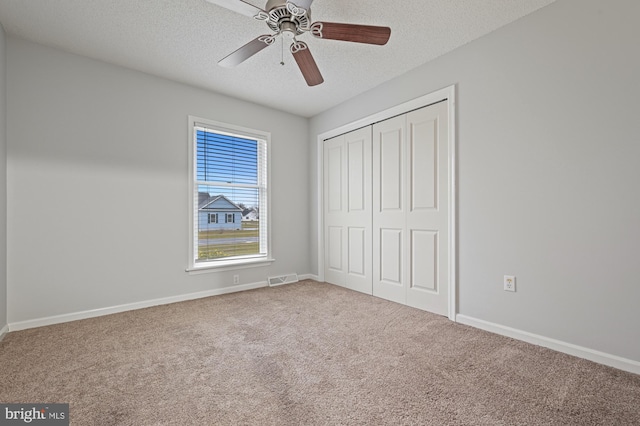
(97, 184)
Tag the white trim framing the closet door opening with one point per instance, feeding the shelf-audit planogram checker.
(422, 101)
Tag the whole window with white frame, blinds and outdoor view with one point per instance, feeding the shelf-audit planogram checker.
(228, 176)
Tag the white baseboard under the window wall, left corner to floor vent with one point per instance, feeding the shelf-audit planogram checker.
(57, 319)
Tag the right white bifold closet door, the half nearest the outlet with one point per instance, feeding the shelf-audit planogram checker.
(410, 209)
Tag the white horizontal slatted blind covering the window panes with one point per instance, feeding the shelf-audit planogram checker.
(231, 180)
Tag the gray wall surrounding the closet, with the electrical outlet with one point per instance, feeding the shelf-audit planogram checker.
(548, 170)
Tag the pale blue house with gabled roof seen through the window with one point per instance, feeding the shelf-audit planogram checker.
(218, 212)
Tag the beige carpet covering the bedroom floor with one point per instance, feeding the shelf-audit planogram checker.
(304, 354)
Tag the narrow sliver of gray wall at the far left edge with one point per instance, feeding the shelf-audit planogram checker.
(3, 184)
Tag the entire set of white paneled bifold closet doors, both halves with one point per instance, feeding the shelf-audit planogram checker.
(386, 190)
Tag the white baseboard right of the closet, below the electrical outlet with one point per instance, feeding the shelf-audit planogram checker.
(557, 345)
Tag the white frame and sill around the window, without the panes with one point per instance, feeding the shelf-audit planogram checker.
(232, 263)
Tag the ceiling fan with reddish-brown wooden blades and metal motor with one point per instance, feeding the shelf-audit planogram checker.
(289, 19)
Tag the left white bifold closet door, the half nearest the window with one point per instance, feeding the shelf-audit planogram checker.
(347, 210)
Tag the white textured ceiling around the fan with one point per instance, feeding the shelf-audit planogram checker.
(183, 40)
